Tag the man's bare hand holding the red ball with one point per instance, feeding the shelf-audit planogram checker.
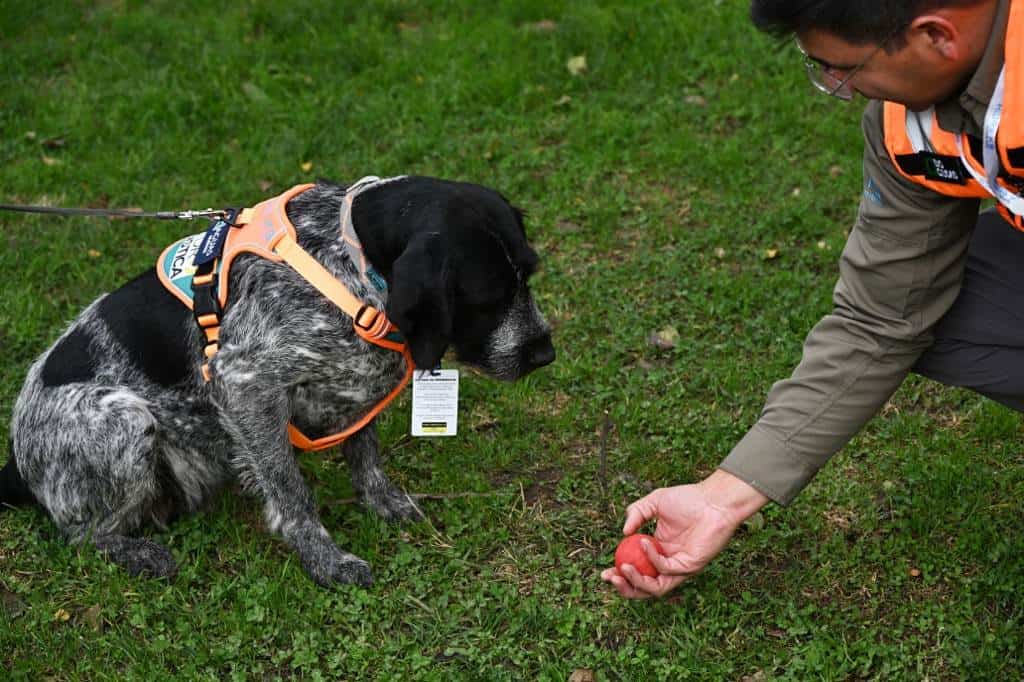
(695, 523)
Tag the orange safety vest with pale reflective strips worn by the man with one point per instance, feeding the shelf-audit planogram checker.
(954, 164)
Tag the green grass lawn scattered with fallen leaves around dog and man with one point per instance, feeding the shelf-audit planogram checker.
(657, 184)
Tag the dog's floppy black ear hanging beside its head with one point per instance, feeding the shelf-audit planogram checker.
(420, 300)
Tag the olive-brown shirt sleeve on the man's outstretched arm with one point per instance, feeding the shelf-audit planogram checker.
(900, 273)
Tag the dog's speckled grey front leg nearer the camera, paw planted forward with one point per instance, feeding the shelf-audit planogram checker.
(258, 421)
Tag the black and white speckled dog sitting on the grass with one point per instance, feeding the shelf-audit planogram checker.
(115, 427)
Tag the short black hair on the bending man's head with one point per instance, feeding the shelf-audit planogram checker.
(860, 23)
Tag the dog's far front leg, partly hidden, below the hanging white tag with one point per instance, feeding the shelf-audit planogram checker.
(362, 453)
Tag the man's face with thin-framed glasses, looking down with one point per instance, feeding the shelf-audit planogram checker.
(909, 76)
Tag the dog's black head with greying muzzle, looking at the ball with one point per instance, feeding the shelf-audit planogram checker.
(457, 263)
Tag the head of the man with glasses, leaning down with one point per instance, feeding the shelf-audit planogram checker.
(916, 53)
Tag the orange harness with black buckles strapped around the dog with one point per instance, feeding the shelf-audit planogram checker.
(266, 231)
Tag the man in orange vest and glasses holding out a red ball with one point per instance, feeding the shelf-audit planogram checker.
(926, 284)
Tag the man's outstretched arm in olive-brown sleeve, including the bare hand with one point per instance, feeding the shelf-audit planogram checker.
(900, 273)
